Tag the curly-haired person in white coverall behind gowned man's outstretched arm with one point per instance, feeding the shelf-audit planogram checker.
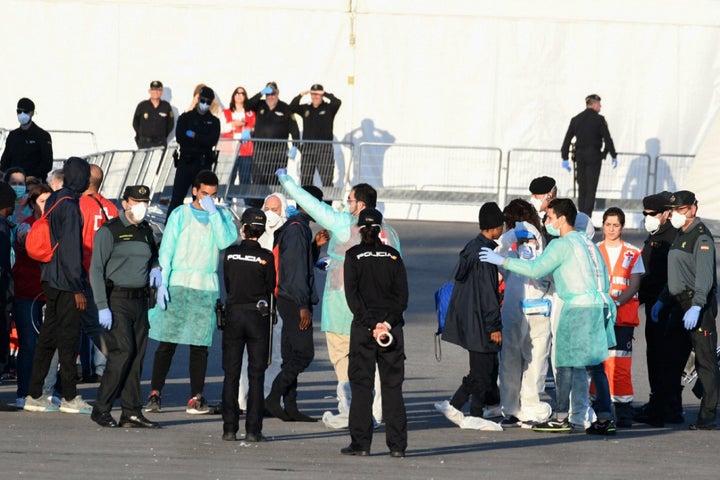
(526, 323)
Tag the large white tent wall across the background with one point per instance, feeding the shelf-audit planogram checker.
(506, 74)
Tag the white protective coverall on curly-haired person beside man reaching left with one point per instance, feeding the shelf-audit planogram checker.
(526, 338)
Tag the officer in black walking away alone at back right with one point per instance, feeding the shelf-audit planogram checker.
(590, 131)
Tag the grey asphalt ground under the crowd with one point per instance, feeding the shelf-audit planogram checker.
(57, 445)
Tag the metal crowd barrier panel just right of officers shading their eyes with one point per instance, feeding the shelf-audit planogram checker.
(459, 175)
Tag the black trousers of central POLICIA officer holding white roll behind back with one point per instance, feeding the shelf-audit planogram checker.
(364, 354)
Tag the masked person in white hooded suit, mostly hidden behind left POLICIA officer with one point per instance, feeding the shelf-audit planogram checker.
(274, 207)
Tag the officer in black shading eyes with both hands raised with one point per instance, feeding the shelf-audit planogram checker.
(318, 117)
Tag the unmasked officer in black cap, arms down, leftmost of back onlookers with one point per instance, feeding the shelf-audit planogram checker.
(153, 119)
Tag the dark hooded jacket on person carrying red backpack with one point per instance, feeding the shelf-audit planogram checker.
(65, 271)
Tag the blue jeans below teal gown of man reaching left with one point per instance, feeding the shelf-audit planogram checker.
(575, 379)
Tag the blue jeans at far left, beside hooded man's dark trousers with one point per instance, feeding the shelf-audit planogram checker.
(28, 318)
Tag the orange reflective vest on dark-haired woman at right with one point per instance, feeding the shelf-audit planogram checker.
(627, 313)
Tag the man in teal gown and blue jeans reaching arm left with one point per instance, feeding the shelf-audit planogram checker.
(586, 321)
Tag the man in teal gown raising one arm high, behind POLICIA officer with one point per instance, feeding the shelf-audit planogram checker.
(336, 315)
